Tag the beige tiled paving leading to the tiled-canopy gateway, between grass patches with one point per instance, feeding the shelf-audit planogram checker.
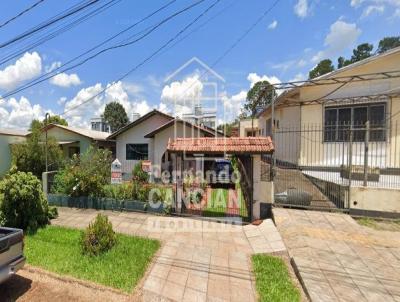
(199, 260)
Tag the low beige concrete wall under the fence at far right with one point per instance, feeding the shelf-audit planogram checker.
(375, 199)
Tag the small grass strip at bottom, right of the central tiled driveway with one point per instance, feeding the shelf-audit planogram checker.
(273, 281)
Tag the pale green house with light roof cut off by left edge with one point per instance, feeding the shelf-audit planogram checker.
(9, 137)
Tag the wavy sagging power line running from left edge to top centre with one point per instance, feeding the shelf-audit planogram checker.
(153, 28)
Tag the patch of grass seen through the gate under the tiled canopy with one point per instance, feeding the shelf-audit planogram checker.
(217, 206)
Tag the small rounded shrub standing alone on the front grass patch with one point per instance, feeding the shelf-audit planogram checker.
(98, 237)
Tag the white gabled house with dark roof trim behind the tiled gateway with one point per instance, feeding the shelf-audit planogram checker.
(147, 137)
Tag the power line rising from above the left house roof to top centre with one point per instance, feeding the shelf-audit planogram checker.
(145, 60)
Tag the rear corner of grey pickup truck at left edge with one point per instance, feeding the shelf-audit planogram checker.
(11, 252)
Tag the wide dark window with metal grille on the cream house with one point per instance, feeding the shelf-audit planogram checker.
(338, 122)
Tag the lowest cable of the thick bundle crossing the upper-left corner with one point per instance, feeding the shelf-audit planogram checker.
(58, 31)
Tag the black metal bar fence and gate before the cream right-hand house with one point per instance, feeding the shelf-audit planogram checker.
(315, 165)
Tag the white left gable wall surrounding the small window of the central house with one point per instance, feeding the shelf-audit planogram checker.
(135, 135)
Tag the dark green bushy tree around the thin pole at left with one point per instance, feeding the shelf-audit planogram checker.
(30, 156)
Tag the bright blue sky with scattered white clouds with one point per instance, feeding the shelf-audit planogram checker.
(284, 46)
